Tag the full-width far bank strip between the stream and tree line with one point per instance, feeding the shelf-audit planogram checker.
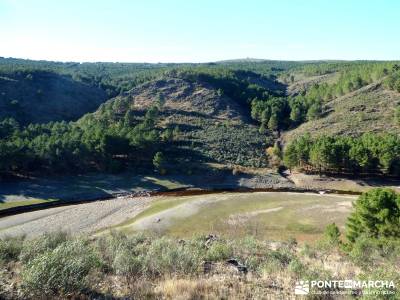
(23, 196)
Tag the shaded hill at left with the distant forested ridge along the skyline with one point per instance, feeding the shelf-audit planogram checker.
(43, 91)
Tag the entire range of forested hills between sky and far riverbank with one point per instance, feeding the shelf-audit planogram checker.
(175, 117)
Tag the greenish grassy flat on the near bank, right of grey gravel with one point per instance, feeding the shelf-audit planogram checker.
(264, 215)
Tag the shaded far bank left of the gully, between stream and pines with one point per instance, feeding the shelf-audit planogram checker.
(63, 190)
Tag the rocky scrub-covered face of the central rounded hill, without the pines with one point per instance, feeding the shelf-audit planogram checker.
(209, 126)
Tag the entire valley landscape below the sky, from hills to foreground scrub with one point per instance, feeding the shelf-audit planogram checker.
(232, 179)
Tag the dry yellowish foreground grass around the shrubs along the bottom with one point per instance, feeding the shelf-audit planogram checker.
(273, 268)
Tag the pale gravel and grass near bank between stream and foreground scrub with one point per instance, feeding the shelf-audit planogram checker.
(273, 214)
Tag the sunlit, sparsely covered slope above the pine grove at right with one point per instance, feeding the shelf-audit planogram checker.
(368, 109)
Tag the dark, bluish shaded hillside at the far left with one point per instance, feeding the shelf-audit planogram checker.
(41, 97)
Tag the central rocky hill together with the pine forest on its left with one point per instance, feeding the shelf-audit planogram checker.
(174, 123)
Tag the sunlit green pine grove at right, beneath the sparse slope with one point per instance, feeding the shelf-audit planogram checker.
(367, 154)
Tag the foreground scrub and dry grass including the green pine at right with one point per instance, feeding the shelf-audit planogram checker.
(149, 266)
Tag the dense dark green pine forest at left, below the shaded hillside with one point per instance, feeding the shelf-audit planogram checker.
(70, 147)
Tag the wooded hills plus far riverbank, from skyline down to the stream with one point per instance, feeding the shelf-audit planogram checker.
(230, 125)
